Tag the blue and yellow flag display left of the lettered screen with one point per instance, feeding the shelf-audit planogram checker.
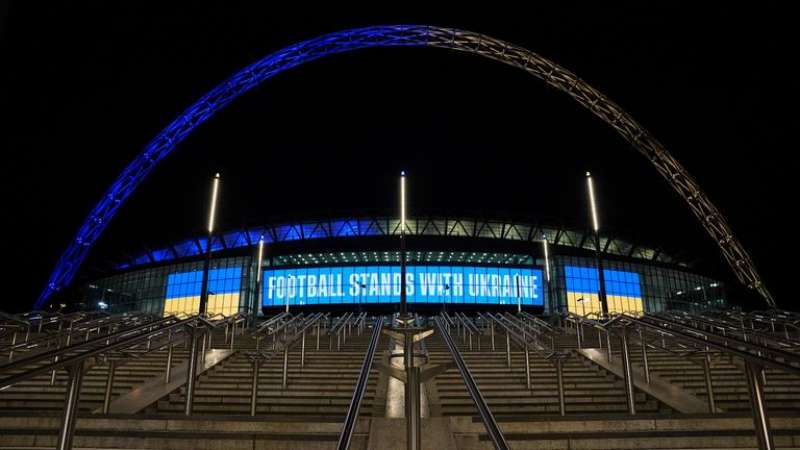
(183, 292)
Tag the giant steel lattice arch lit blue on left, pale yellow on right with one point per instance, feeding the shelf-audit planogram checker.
(405, 36)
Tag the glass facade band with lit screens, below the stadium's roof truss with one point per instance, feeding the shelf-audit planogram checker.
(631, 286)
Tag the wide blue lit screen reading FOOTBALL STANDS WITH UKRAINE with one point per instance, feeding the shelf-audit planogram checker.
(381, 284)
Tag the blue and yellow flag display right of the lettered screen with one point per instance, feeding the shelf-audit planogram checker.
(623, 291)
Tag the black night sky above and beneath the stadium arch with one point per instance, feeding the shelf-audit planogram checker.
(87, 85)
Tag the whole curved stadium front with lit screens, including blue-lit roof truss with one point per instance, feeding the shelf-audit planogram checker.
(355, 261)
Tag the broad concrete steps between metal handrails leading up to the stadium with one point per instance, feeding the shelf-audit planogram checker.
(308, 414)
